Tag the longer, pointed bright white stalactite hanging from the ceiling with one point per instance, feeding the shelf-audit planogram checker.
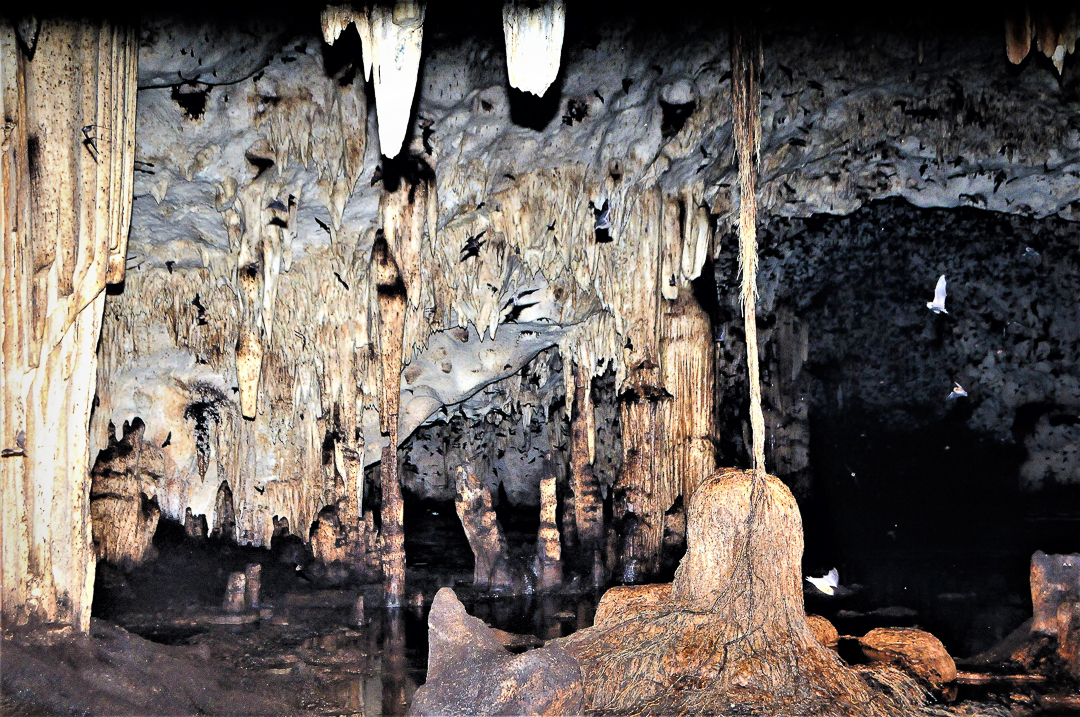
(394, 44)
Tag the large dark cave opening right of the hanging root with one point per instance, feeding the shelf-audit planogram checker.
(933, 506)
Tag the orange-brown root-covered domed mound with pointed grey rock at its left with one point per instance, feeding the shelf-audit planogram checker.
(728, 637)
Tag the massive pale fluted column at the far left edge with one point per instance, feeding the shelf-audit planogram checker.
(67, 94)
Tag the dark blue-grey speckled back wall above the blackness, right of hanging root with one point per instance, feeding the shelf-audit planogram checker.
(845, 299)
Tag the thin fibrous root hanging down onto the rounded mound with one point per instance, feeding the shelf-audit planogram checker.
(747, 97)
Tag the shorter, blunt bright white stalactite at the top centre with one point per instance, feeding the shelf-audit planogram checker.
(534, 36)
